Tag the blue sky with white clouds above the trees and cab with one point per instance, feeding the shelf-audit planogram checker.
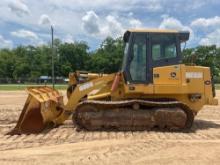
(27, 22)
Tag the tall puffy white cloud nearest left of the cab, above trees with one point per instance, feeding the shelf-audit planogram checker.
(90, 22)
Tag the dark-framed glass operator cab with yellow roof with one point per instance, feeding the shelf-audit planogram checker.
(146, 49)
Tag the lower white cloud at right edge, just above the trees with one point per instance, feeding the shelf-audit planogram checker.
(212, 38)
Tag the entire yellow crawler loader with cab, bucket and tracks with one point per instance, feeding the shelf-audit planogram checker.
(153, 90)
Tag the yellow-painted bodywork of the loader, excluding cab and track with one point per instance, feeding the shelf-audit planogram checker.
(166, 85)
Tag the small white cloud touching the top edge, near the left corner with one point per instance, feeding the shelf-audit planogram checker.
(19, 8)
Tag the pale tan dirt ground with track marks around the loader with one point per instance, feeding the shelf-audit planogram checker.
(64, 145)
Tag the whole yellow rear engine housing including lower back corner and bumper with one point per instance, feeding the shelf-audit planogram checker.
(190, 84)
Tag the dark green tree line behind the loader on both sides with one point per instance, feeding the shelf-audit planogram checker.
(28, 63)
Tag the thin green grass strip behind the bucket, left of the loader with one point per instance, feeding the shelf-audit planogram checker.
(14, 87)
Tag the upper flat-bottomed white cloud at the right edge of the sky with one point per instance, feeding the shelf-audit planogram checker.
(203, 22)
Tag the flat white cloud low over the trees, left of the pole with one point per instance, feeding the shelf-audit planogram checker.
(26, 34)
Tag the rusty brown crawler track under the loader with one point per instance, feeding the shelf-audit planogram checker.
(119, 115)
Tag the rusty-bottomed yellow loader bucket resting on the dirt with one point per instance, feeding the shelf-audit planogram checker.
(42, 106)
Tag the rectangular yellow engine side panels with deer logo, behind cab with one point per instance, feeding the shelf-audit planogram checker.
(179, 79)
